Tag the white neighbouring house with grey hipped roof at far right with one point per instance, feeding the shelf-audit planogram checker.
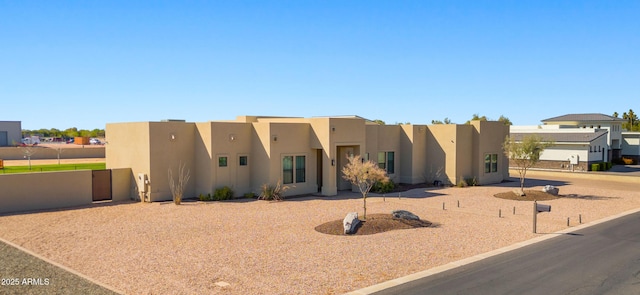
(579, 140)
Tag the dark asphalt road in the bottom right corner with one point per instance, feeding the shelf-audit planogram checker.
(602, 259)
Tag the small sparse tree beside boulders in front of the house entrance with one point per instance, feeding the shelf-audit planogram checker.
(363, 174)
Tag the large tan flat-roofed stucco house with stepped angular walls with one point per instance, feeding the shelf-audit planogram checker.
(306, 154)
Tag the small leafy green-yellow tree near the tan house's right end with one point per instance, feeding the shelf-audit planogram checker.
(525, 154)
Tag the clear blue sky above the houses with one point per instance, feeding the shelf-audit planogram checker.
(88, 63)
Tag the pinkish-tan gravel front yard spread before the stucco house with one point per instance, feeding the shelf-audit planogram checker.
(260, 247)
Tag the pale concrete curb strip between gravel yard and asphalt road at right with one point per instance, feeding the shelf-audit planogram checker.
(452, 265)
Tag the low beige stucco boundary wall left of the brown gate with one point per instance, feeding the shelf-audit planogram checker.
(54, 190)
